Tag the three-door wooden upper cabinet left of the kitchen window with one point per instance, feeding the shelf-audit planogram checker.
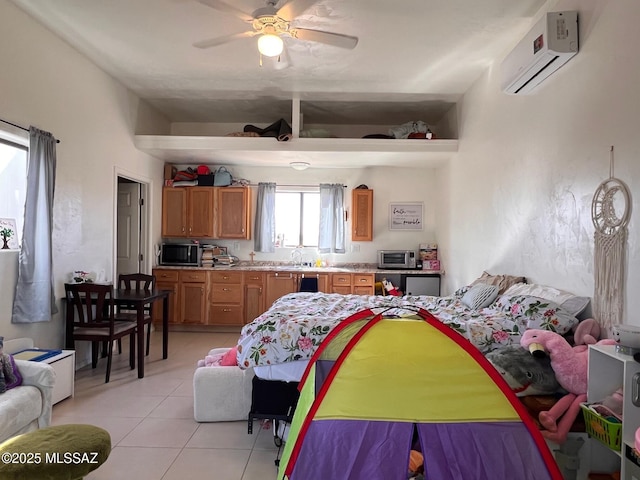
(204, 212)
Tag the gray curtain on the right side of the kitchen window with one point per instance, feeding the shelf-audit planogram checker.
(332, 236)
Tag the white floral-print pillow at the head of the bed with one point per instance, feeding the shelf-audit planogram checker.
(535, 312)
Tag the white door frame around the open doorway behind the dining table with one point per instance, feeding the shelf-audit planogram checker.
(145, 220)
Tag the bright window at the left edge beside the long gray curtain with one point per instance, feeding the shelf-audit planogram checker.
(13, 181)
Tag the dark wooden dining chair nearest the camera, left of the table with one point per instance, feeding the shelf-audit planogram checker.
(90, 317)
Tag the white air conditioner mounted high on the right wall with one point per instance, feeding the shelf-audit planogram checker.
(549, 45)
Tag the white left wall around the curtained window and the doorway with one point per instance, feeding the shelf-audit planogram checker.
(48, 84)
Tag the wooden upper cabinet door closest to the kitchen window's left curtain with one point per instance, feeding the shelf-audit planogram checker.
(233, 204)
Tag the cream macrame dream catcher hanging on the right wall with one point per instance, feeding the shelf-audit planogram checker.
(610, 212)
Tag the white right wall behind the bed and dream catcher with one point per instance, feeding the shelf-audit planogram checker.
(520, 188)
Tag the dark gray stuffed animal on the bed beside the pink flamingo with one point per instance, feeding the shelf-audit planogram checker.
(525, 374)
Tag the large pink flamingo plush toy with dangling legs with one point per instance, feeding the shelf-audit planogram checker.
(570, 366)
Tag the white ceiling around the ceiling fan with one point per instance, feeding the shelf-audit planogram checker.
(426, 52)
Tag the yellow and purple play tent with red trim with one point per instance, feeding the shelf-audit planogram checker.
(377, 383)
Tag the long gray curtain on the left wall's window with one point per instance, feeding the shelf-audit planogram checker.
(34, 298)
